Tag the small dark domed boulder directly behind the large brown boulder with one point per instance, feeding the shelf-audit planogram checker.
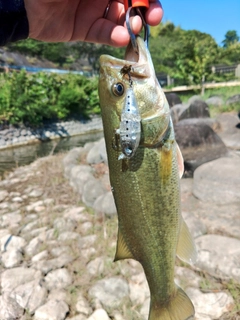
(197, 109)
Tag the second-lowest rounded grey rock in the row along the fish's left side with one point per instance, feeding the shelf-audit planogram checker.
(91, 191)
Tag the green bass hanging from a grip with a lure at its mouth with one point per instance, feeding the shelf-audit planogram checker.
(146, 183)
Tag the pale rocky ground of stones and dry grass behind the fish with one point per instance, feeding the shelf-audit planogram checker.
(58, 230)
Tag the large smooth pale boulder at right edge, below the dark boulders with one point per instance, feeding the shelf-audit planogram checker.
(210, 186)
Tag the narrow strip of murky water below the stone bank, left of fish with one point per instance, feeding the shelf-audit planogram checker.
(23, 155)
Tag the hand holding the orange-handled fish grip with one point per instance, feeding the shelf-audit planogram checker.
(83, 20)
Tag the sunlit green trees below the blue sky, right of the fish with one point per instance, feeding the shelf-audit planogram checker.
(188, 55)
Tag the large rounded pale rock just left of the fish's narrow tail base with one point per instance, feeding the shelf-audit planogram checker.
(110, 292)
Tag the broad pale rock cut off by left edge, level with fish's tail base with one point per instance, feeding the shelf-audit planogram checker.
(14, 277)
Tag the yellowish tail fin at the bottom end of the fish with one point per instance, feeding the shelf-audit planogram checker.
(179, 307)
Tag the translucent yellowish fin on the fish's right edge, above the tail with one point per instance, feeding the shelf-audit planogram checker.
(186, 249)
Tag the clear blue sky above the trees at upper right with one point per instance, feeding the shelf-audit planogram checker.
(215, 17)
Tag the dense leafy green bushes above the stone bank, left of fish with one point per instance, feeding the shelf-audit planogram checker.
(33, 98)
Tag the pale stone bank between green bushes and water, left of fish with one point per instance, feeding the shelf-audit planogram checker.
(22, 135)
